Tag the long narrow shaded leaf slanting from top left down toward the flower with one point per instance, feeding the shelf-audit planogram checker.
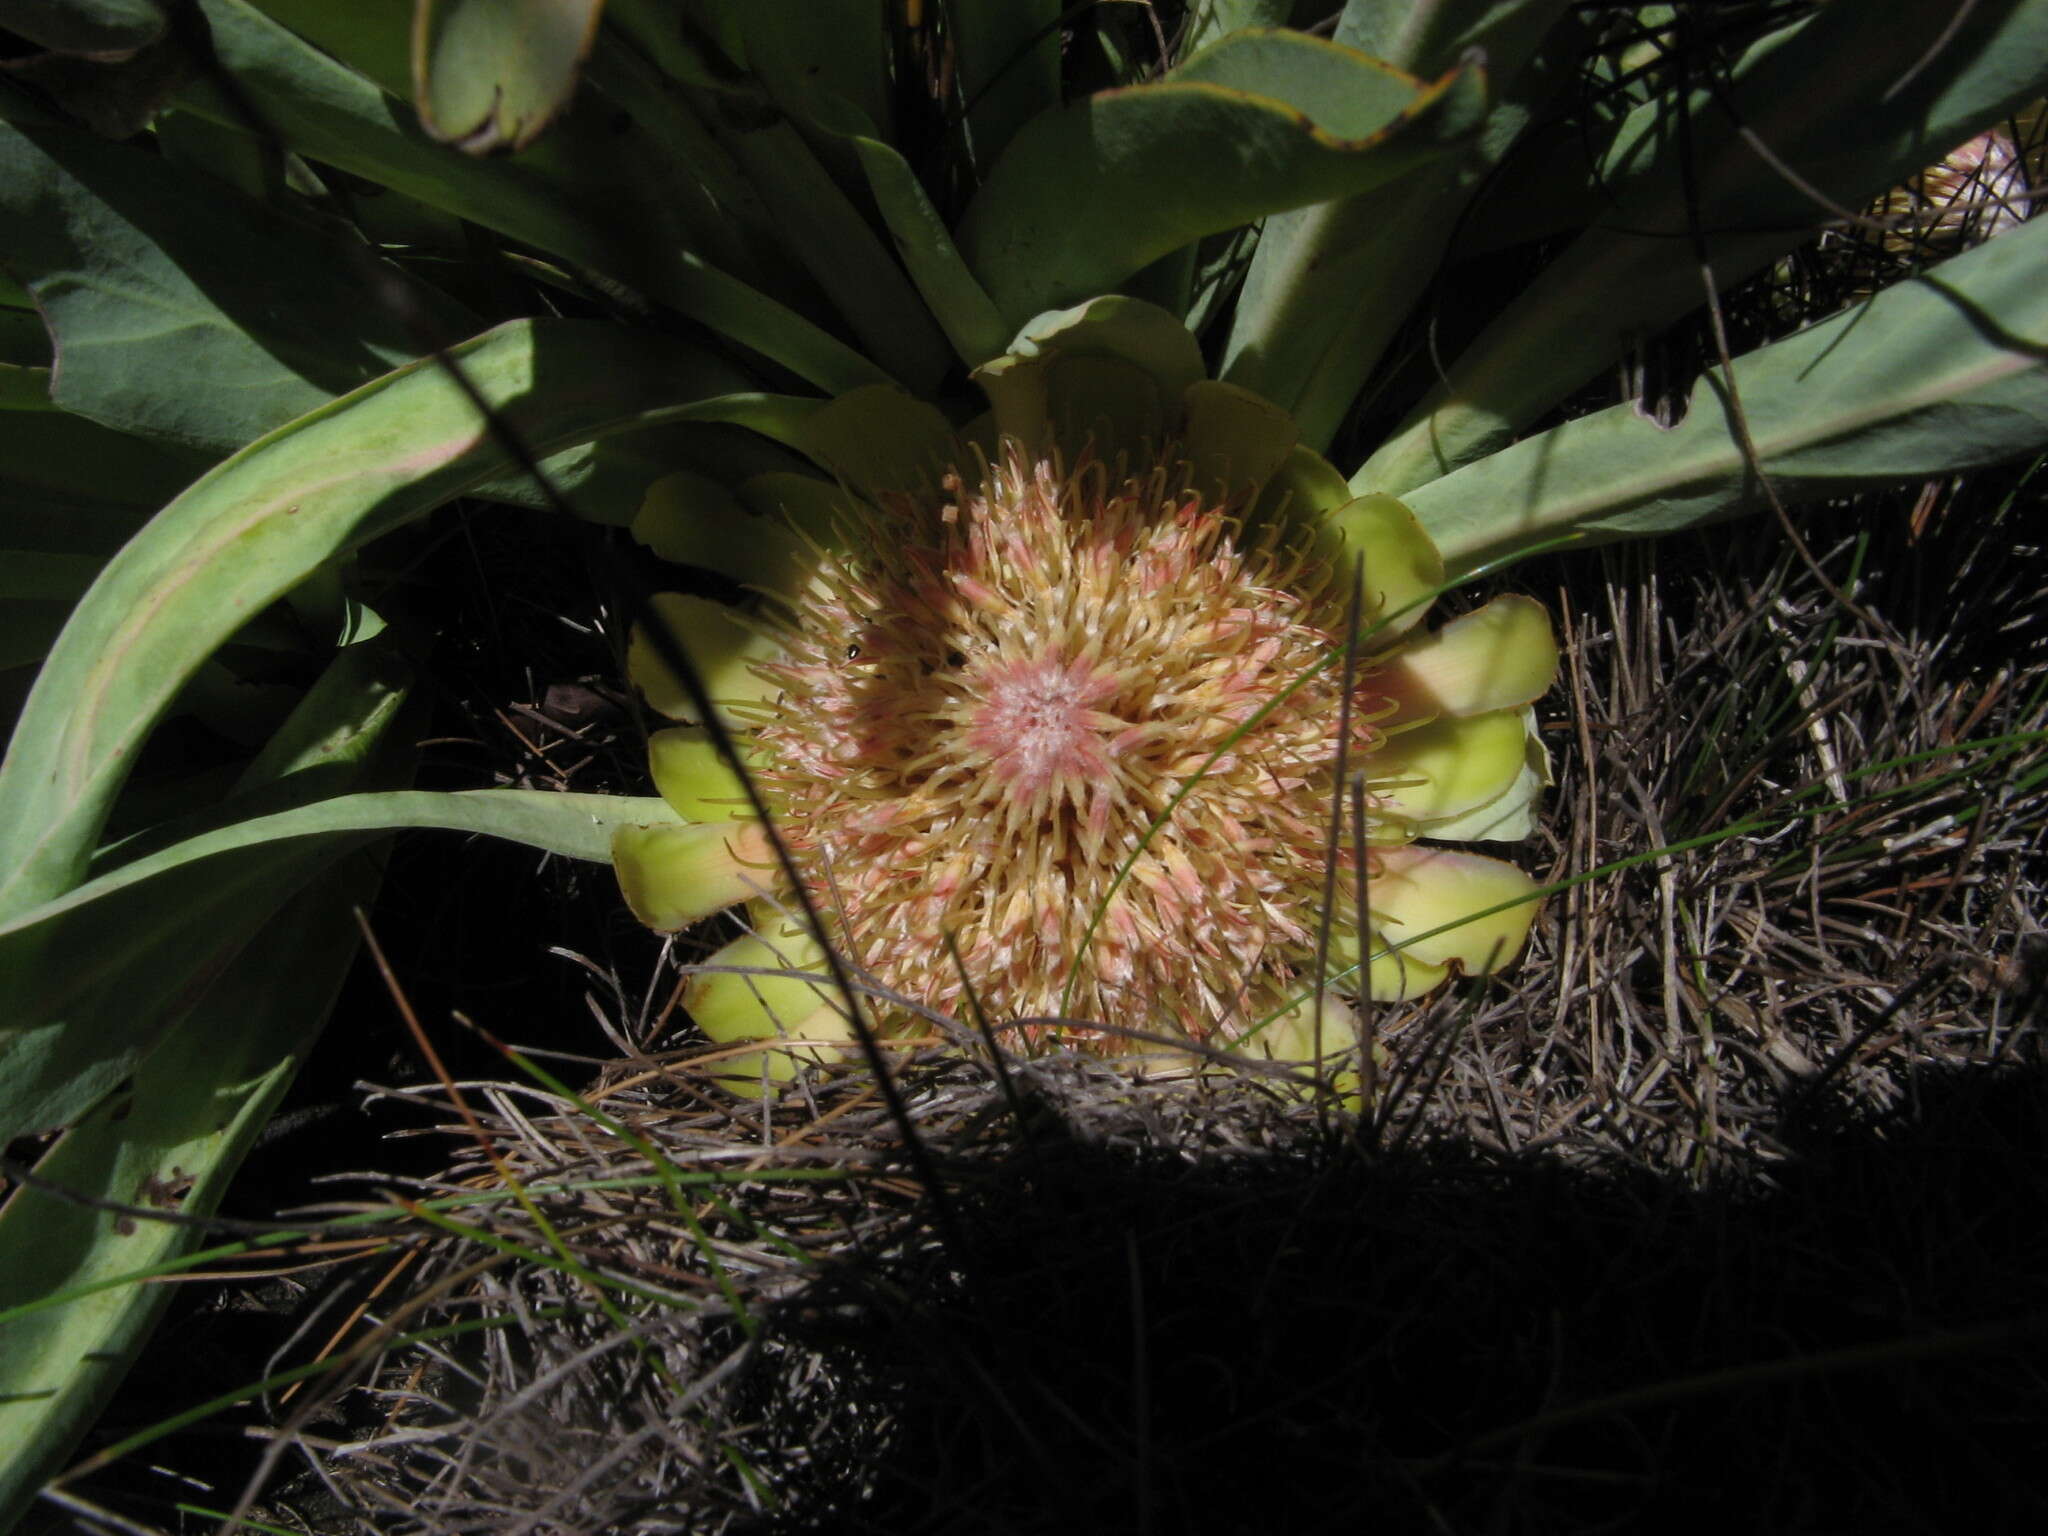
(331, 114)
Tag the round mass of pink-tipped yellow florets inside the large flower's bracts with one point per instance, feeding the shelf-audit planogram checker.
(1082, 730)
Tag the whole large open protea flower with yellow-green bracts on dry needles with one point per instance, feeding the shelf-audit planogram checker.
(1054, 714)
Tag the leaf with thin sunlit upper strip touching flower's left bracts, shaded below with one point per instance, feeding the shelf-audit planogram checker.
(167, 923)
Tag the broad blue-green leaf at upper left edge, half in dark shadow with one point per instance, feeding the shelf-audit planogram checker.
(144, 298)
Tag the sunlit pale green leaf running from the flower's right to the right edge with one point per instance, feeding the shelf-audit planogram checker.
(1943, 374)
